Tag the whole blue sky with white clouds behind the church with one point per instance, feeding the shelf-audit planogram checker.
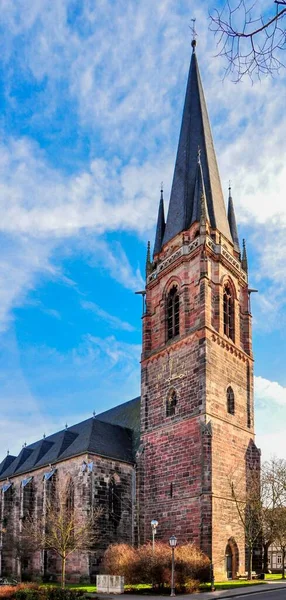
(91, 95)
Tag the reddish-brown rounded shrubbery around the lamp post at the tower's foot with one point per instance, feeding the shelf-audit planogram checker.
(141, 565)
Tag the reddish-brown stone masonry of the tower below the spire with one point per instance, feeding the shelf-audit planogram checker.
(187, 459)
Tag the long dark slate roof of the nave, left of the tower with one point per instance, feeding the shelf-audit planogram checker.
(114, 433)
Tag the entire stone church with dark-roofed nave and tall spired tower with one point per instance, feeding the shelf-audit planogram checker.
(168, 455)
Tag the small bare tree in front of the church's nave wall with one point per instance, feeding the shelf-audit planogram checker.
(61, 529)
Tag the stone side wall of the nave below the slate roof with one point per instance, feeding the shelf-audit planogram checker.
(97, 482)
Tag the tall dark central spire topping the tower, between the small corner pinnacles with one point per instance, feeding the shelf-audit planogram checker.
(195, 132)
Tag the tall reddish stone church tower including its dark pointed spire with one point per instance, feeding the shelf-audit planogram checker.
(197, 364)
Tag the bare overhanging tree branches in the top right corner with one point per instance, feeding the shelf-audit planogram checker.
(250, 42)
